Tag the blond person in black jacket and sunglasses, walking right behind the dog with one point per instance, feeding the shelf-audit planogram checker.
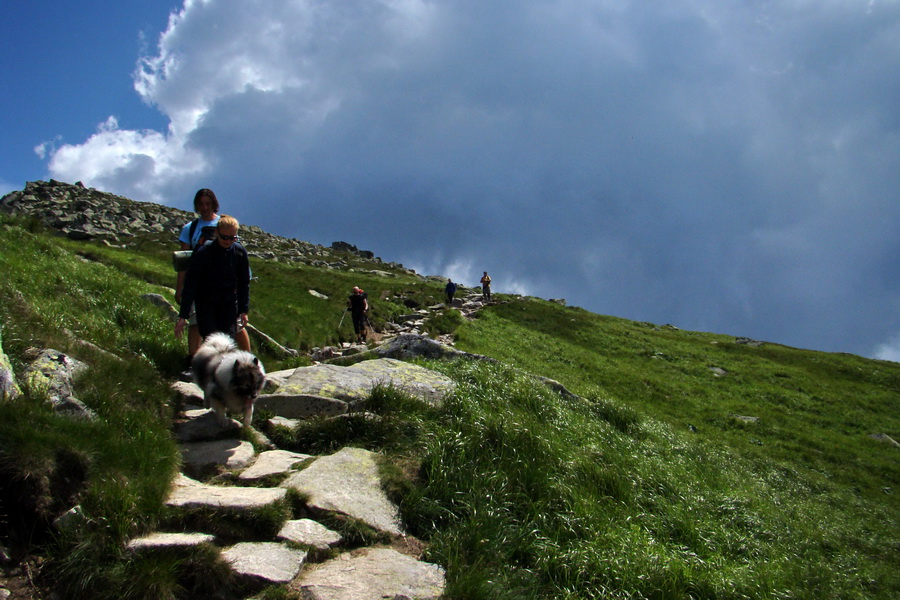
(217, 284)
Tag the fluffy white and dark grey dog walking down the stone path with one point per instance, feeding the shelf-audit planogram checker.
(230, 378)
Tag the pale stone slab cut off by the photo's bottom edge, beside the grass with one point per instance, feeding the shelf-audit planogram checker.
(373, 574)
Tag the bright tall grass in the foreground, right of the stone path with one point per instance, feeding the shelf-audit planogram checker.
(523, 493)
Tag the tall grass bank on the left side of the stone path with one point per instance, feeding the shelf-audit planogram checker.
(116, 467)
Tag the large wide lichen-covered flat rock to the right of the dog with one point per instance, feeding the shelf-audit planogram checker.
(354, 383)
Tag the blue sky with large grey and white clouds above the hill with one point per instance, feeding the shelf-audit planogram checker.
(730, 166)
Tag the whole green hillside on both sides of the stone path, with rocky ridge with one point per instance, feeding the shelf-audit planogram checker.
(672, 464)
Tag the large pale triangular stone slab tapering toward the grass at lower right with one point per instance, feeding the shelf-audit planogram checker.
(347, 482)
